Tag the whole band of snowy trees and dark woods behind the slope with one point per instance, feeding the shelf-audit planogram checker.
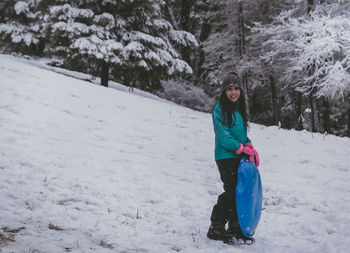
(293, 55)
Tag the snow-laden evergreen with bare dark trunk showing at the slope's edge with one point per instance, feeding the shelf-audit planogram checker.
(81, 36)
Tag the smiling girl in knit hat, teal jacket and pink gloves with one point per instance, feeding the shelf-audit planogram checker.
(230, 121)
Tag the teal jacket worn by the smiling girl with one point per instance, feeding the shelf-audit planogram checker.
(227, 139)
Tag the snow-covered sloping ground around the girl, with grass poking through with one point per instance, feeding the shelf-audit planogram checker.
(119, 172)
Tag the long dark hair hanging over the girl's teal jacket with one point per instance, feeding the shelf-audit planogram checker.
(228, 108)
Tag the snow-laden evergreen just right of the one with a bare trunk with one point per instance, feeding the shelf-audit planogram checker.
(152, 45)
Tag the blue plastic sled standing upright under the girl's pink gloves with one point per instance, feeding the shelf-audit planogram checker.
(248, 197)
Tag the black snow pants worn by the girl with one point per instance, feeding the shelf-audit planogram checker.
(225, 208)
